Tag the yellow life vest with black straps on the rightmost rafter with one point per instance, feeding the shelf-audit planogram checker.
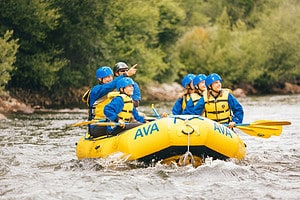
(218, 109)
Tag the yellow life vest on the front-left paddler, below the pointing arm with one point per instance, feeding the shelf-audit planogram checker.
(98, 106)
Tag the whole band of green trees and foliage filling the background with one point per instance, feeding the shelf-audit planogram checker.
(62, 42)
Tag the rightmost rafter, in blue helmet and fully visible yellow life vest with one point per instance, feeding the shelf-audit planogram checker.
(219, 104)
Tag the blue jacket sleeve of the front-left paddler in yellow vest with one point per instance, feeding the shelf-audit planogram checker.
(112, 109)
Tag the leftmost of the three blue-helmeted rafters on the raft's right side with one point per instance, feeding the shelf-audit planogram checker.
(180, 104)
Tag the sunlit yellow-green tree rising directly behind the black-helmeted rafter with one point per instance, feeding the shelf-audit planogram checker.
(137, 34)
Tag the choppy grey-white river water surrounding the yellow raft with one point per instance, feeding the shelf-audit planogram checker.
(38, 161)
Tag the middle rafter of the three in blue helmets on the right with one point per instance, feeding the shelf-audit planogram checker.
(200, 88)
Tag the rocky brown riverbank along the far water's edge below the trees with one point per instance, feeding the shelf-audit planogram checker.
(27, 101)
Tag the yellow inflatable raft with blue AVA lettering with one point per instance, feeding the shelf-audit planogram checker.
(182, 139)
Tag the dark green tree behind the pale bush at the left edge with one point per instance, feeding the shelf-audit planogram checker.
(38, 59)
